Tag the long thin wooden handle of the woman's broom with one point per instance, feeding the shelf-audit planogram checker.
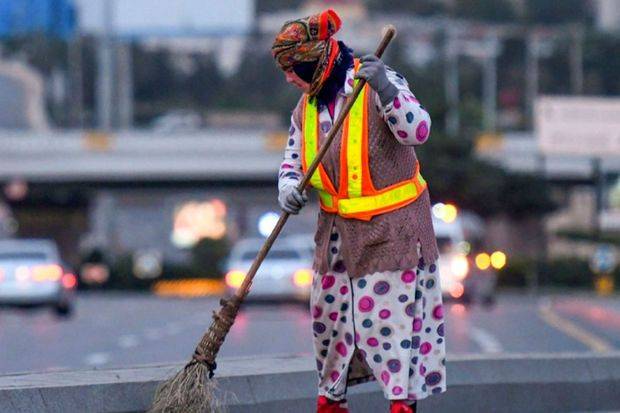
(242, 291)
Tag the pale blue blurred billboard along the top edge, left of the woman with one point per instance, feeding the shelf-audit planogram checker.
(137, 18)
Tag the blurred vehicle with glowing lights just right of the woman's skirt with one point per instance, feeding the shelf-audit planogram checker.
(467, 272)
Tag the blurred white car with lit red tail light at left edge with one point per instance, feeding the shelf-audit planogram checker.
(32, 274)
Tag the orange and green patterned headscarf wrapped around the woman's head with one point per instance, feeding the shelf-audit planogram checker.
(306, 40)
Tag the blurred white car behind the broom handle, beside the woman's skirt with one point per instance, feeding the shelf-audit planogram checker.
(286, 272)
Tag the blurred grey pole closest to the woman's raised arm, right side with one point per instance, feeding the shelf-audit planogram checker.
(451, 84)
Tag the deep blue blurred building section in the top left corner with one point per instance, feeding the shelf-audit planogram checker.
(48, 17)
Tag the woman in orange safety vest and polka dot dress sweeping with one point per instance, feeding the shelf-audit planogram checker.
(375, 301)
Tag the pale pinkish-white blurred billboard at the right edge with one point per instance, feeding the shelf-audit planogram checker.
(583, 126)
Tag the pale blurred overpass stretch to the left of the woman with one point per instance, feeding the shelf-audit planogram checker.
(82, 156)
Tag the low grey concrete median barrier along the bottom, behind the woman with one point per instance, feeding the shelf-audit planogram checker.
(559, 382)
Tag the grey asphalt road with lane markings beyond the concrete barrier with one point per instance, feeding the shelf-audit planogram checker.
(115, 330)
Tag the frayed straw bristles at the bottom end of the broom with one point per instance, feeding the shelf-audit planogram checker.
(189, 391)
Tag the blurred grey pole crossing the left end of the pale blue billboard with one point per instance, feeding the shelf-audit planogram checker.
(105, 70)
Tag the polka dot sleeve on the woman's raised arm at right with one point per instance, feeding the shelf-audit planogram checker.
(407, 119)
